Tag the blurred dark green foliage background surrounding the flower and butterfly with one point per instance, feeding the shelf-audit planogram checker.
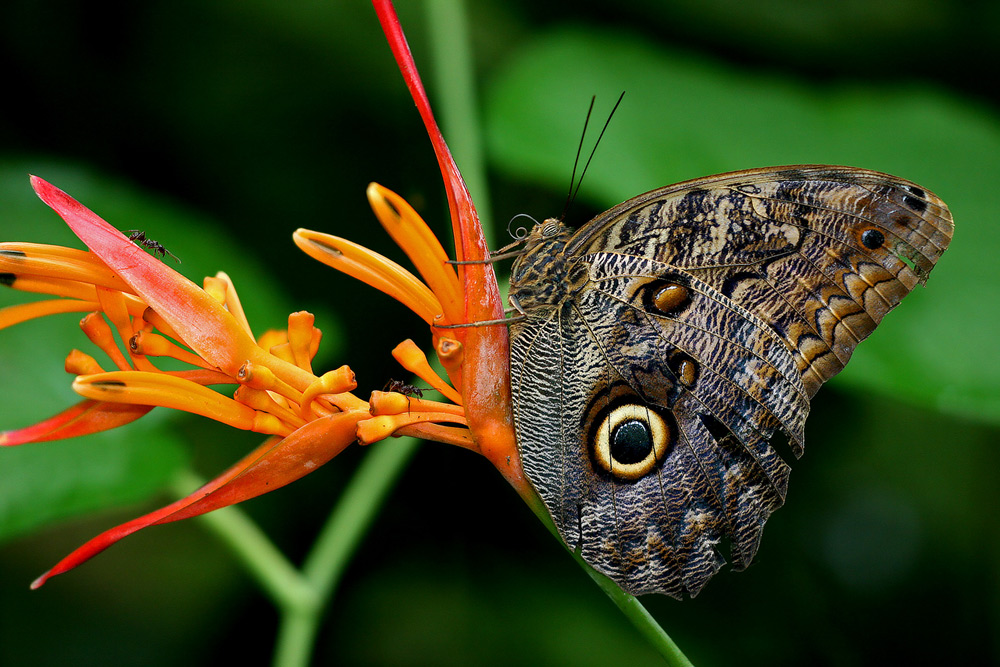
(220, 127)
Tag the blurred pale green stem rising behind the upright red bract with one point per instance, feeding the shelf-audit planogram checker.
(453, 76)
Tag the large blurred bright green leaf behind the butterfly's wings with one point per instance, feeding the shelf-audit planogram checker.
(685, 116)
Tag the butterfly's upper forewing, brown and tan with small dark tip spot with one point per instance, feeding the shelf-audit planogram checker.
(819, 253)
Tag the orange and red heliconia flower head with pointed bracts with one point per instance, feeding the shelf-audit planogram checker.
(155, 312)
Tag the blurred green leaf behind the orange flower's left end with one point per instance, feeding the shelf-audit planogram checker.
(44, 482)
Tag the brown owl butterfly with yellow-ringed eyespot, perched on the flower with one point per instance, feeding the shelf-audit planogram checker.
(670, 346)
